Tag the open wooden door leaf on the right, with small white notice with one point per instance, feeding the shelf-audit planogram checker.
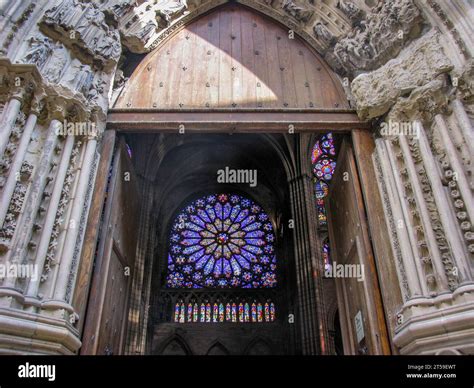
(359, 301)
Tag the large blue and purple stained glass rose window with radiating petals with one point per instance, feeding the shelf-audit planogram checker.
(222, 241)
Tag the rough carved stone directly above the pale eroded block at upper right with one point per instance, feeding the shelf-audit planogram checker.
(378, 38)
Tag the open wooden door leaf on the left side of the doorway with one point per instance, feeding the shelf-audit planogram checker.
(107, 312)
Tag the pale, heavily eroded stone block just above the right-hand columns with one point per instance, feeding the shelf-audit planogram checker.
(376, 92)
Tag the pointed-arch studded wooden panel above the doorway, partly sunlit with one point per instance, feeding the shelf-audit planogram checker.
(232, 57)
